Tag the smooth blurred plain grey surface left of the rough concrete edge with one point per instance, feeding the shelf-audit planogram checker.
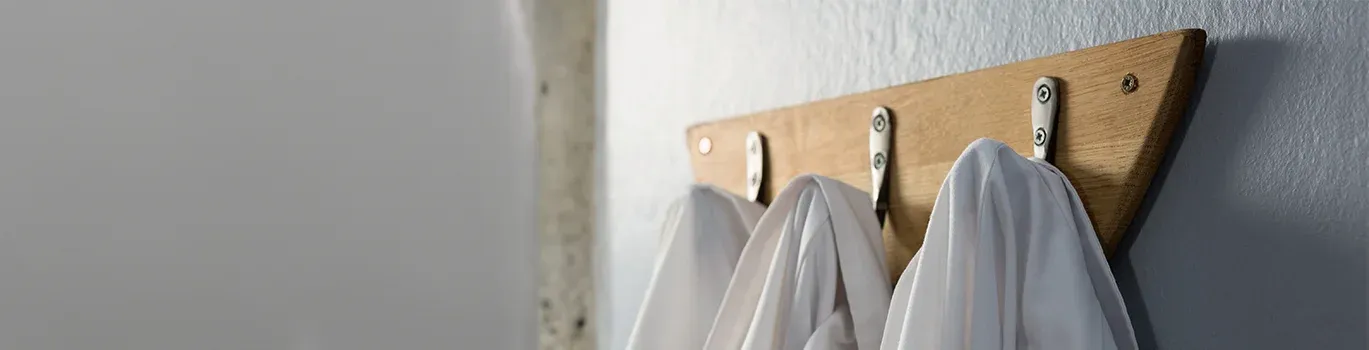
(265, 174)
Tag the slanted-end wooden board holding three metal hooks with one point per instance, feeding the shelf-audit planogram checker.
(1107, 142)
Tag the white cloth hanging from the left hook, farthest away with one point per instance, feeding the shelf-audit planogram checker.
(702, 240)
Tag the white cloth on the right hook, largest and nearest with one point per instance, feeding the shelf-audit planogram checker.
(1010, 262)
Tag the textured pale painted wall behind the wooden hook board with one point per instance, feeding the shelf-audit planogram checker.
(1256, 234)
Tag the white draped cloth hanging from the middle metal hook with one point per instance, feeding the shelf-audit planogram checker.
(813, 275)
